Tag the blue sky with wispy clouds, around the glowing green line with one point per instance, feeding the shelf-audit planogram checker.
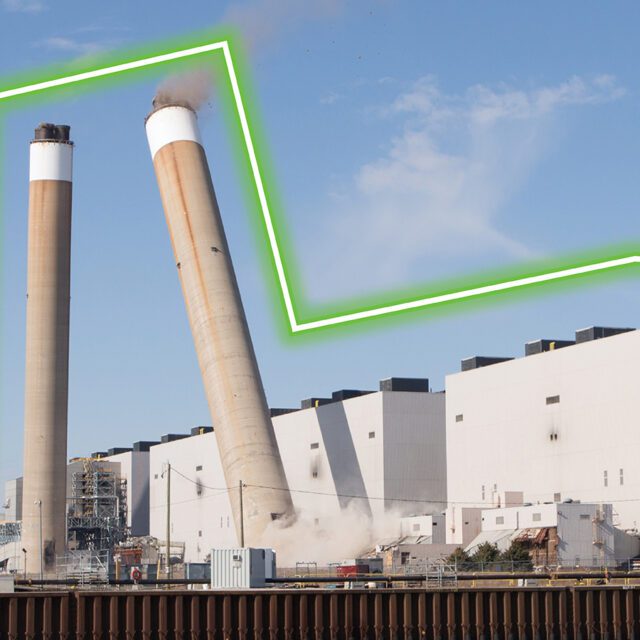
(409, 141)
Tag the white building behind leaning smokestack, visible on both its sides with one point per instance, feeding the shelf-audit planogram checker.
(375, 453)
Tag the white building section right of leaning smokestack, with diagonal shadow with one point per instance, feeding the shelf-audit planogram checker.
(387, 446)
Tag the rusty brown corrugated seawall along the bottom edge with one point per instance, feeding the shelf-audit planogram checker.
(394, 614)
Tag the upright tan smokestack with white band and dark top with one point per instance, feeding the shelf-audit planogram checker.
(47, 348)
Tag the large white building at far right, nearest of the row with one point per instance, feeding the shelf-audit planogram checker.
(559, 424)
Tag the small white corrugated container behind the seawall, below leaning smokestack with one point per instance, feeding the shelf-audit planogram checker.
(243, 568)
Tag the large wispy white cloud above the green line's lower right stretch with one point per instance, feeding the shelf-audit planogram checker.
(439, 189)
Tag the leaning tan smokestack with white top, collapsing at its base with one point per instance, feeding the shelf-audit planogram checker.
(244, 432)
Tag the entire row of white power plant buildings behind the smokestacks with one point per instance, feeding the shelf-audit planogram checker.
(517, 449)
